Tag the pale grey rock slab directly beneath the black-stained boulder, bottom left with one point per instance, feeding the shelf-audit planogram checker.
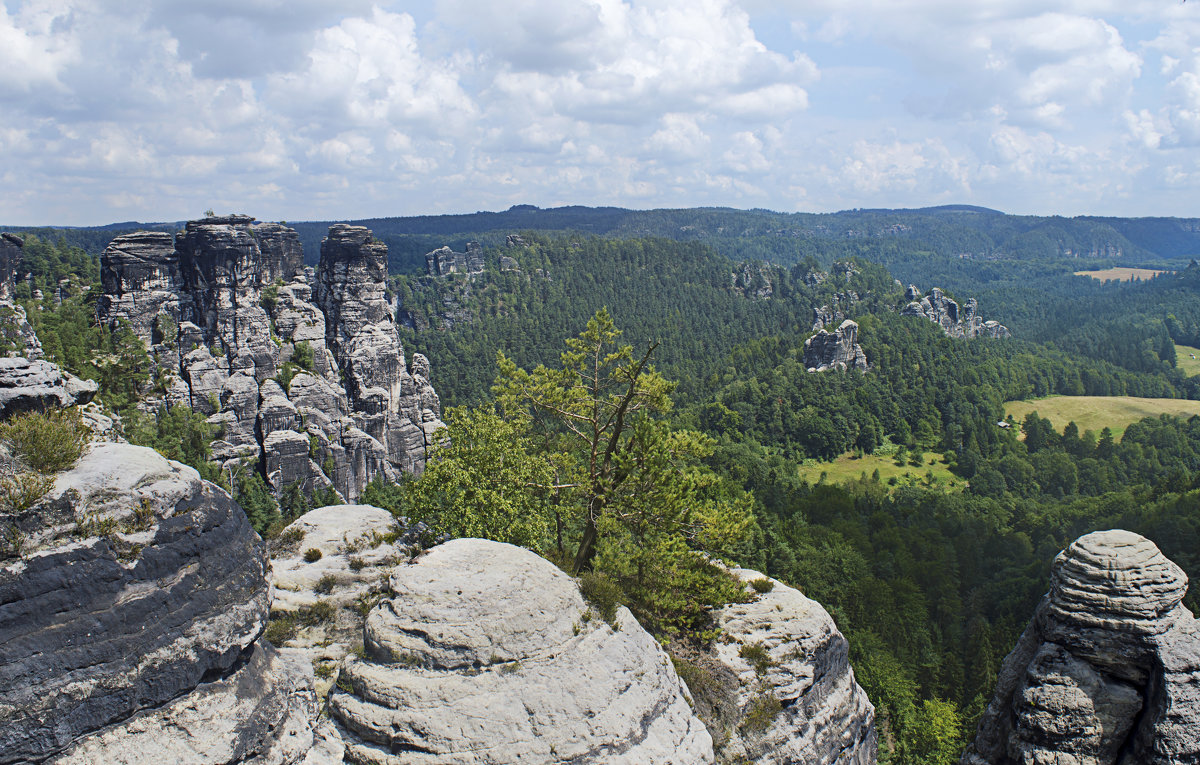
(263, 714)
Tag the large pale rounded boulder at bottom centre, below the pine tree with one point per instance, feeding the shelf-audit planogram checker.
(485, 655)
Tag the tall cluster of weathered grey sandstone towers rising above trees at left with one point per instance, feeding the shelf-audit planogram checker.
(315, 389)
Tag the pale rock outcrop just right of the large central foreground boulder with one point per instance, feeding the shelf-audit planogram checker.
(796, 695)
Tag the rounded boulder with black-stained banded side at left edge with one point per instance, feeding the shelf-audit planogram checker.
(139, 581)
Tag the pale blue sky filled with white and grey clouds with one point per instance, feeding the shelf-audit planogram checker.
(311, 110)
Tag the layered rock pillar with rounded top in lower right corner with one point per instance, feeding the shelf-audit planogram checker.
(1108, 672)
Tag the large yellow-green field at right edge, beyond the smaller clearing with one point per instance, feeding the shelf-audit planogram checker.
(1095, 413)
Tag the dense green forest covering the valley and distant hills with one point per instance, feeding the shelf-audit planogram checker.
(931, 583)
